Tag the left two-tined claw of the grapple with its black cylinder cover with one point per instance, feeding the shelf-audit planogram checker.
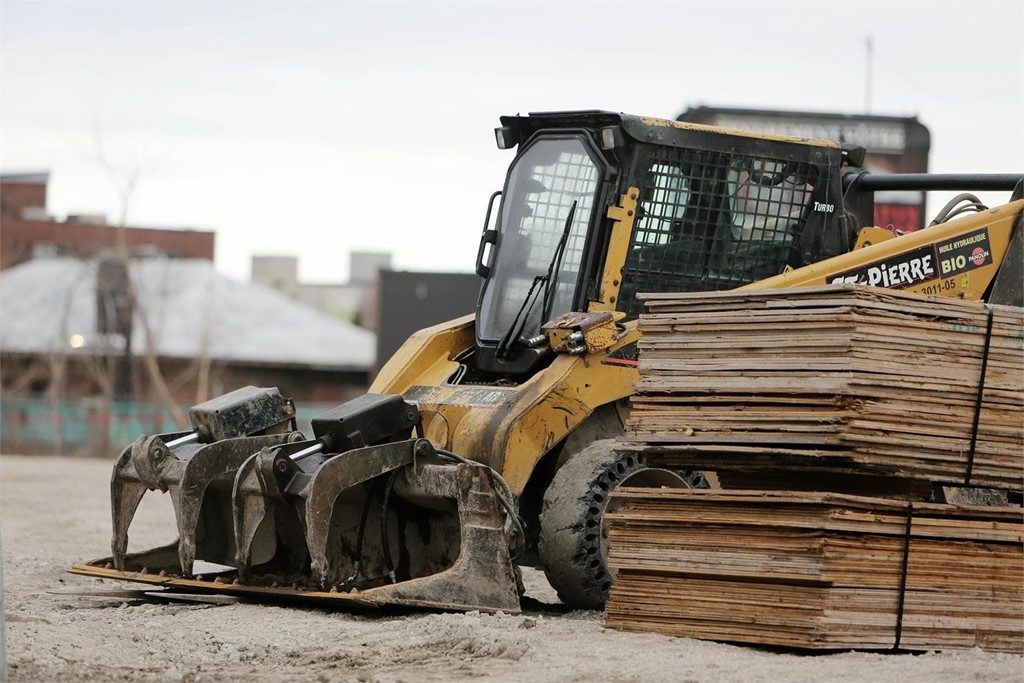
(197, 469)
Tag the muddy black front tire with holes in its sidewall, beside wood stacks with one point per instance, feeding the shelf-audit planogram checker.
(571, 542)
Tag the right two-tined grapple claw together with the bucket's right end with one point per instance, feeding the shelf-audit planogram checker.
(366, 507)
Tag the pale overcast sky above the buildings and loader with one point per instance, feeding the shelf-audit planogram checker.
(320, 129)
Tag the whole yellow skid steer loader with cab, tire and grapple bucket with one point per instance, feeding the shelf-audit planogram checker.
(490, 442)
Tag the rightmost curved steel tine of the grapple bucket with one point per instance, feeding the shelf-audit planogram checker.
(330, 481)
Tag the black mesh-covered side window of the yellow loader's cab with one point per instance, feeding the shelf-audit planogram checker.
(712, 222)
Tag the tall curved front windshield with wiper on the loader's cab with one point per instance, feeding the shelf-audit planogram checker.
(546, 209)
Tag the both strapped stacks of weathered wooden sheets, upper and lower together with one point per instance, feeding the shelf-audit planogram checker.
(826, 390)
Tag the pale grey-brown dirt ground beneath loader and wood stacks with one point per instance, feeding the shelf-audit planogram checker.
(55, 513)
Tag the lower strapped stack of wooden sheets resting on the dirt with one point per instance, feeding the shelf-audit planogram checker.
(817, 571)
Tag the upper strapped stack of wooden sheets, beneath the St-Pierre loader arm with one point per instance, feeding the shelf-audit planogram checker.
(833, 379)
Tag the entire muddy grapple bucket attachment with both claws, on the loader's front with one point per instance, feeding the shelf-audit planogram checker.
(366, 515)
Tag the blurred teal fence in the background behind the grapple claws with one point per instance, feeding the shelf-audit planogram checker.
(91, 426)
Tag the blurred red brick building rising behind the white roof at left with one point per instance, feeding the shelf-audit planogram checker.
(27, 230)
